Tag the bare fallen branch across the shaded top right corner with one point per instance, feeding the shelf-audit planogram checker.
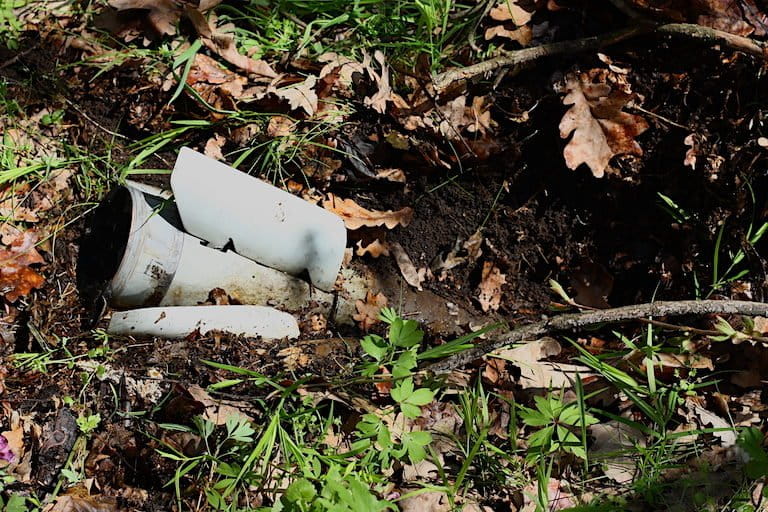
(443, 81)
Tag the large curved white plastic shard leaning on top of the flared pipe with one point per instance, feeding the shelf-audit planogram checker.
(263, 223)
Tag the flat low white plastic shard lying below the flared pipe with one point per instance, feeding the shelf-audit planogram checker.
(181, 321)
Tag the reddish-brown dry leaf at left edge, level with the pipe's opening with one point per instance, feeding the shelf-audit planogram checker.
(16, 277)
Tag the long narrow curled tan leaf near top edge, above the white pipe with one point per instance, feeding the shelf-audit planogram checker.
(223, 44)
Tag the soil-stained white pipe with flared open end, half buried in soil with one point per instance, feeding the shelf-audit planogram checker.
(163, 266)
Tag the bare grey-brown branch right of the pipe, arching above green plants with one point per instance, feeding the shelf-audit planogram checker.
(579, 320)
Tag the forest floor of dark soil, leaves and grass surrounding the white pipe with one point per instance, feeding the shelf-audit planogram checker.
(496, 163)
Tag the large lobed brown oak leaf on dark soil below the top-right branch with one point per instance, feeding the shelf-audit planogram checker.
(600, 128)
